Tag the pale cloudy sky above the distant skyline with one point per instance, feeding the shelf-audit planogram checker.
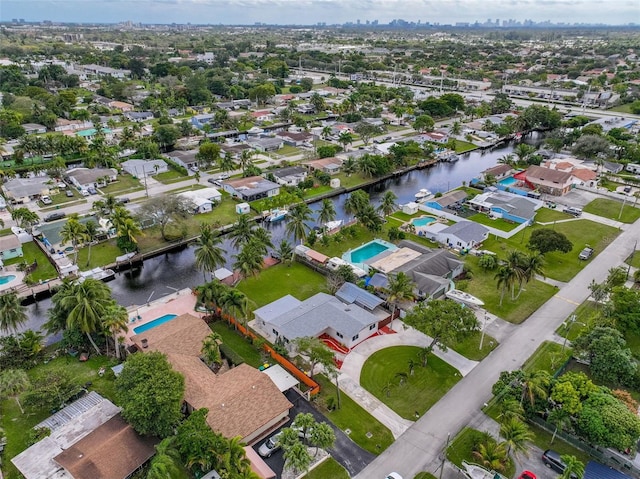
(307, 12)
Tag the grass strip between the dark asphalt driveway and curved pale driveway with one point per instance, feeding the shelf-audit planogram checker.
(351, 416)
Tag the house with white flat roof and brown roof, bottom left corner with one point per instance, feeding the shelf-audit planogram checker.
(88, 439)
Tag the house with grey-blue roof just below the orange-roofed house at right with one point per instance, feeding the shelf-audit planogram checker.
(508, 206)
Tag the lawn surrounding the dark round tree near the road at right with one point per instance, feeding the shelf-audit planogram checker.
(560, 266)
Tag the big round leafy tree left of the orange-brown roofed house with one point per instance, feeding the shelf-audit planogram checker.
(150, 394)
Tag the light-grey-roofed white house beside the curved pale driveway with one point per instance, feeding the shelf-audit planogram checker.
(288, 318)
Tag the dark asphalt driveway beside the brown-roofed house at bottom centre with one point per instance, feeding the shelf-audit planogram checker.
(352, 457)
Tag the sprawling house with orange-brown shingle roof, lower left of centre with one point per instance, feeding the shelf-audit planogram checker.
(241, 401)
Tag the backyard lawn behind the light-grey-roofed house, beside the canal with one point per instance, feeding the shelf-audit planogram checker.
(280, 280)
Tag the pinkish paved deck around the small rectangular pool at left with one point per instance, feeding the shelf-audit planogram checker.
(178, 303)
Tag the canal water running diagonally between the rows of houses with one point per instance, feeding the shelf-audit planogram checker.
(169, 272)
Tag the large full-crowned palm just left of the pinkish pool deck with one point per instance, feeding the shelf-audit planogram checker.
(87, 303)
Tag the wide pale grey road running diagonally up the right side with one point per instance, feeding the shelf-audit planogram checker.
(418, 448)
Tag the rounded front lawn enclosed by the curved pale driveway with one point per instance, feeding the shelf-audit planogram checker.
(419, 392)
